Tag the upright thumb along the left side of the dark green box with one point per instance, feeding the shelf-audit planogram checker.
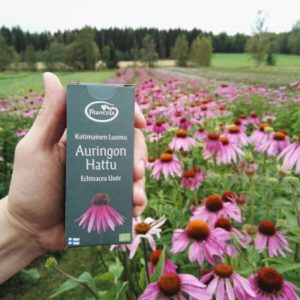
(50, 123)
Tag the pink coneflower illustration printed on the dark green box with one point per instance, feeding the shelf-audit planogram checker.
(100, 216)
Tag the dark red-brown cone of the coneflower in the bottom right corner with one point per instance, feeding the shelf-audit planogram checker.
(269, 280)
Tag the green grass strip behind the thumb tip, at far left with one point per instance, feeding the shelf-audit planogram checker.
(19, 82)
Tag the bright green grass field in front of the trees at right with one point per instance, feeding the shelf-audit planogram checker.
(240, 68)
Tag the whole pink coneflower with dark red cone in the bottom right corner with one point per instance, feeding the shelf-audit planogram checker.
(268, 284)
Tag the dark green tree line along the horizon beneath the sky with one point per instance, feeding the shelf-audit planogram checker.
(81, 48)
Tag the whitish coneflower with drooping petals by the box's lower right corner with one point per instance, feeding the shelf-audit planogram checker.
(145, 230)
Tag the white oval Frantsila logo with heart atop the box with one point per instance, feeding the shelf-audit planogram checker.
(101, 111)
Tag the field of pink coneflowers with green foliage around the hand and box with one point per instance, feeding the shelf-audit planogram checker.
(223, 217)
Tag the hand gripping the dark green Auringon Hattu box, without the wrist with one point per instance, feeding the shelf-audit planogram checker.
(35, 203)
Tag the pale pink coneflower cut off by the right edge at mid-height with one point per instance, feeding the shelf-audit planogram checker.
(291, 156)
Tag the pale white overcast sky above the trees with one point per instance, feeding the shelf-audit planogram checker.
(229, 16)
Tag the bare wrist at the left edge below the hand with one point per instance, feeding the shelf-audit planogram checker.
(18, 247)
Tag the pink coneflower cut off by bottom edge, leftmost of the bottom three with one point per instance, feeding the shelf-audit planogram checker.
(174, 286)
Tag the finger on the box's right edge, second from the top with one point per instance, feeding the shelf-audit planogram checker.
(140, 155)
